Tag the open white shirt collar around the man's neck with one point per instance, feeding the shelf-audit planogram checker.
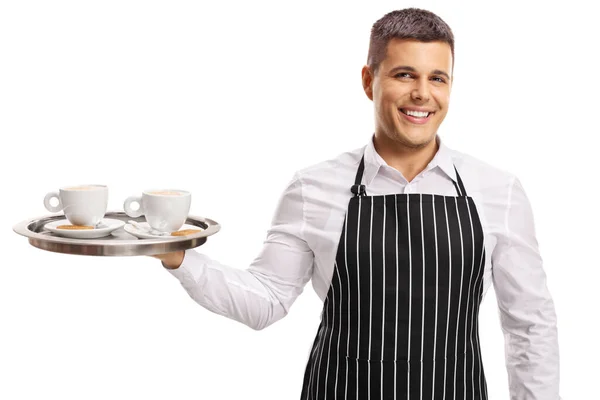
(442, 160)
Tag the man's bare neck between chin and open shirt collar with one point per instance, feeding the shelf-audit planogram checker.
(410, 161)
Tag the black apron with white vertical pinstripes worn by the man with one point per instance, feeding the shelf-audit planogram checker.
(400, 320)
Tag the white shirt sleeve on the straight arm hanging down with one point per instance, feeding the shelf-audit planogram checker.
(527, 313)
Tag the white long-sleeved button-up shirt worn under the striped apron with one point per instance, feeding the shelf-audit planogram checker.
(302, 242)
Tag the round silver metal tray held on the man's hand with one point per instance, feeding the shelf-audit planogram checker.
(118, 243)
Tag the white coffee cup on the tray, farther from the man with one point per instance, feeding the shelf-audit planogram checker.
(82, 204)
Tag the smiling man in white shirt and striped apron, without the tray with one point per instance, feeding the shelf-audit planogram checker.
(401, 238)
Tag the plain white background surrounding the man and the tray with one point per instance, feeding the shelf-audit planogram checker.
(227, 100)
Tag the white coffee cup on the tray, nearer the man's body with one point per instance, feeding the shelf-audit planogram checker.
(165, 210)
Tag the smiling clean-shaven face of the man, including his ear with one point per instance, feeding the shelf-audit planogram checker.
(410, 91)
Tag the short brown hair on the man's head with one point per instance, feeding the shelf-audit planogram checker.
(409, 23)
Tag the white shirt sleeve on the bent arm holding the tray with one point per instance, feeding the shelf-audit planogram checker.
(264, 292)
